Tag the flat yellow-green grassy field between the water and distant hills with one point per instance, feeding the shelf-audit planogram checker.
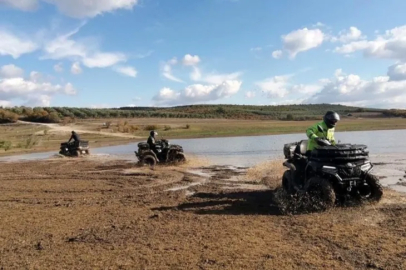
(25, 138)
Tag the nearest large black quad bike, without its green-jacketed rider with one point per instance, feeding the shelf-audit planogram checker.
(330, 172)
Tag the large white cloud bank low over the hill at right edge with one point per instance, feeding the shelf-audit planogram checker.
(351, 89)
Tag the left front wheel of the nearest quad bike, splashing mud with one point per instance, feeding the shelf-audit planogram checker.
(322, 191)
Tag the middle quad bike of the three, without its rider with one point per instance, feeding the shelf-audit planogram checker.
(165, 153)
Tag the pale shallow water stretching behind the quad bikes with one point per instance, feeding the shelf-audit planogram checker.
(385, 146)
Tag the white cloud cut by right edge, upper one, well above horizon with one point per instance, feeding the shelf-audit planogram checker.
(391, 45)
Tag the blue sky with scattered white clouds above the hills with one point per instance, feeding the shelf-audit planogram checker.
(113, 53)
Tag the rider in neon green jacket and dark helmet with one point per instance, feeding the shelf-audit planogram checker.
(328, 125)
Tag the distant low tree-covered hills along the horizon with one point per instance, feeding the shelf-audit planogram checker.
(281, 112)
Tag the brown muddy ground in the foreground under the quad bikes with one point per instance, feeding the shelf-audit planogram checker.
(106, 214)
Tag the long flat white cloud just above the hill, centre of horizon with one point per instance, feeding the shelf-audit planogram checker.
(197, 93)
